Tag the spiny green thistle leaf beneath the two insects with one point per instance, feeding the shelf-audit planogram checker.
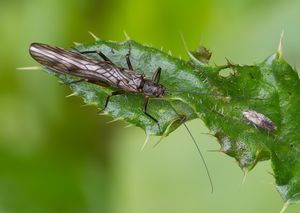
(197, 90)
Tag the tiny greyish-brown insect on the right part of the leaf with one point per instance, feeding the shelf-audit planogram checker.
(260, 120)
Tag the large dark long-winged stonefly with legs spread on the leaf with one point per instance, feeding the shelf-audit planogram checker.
(103, 73)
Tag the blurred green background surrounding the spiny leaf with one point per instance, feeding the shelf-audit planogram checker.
(56, 156)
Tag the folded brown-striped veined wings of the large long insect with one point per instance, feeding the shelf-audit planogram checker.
(95, 71)
